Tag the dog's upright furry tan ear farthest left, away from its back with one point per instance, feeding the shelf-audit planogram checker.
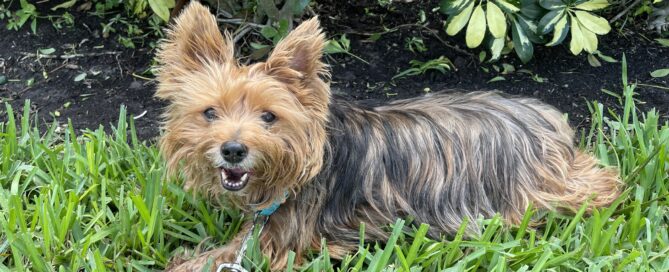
(192, 41)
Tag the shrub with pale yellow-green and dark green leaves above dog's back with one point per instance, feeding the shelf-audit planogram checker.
(527, 22)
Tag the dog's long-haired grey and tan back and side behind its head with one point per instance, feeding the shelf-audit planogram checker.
(448, 157)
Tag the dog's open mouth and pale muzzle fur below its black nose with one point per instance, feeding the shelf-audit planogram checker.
(233, 177)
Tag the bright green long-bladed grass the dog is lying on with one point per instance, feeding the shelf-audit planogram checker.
(98, 201)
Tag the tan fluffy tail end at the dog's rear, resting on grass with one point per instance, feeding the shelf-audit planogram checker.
(587, 181)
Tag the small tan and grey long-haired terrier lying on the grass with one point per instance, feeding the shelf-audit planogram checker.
(271, 132)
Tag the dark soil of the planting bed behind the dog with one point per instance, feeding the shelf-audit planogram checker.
(117, 75)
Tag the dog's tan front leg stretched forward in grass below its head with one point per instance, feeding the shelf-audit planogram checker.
(217, 256)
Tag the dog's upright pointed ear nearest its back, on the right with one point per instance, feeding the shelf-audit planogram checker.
(300, 51)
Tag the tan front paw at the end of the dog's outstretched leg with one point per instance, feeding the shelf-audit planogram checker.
(208, 261)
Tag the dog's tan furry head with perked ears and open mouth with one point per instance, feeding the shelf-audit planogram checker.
(255, 130)
